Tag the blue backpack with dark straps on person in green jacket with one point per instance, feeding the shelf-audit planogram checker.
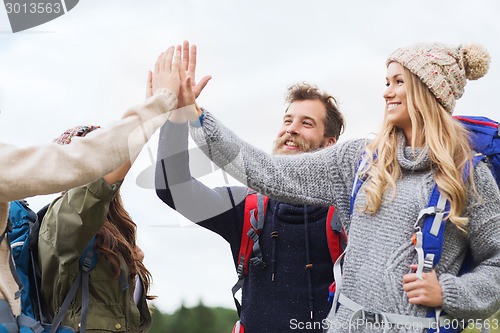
(22, 234)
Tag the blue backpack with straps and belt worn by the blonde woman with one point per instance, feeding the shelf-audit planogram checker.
(485, 140)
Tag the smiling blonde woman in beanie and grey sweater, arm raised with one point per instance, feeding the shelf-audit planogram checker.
(420, 145)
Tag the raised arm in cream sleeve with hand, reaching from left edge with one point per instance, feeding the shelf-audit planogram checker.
(52, 168)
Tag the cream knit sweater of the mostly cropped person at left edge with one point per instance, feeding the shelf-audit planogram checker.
(52, 168)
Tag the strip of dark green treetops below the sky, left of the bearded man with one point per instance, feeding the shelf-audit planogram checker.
(194, 320)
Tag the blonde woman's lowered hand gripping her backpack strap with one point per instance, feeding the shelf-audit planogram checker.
(427, 292)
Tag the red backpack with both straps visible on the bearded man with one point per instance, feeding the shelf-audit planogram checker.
(250, 252)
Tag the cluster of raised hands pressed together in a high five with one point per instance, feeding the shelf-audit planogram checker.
(187, 90)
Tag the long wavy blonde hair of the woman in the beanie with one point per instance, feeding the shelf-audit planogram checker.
(433, 128)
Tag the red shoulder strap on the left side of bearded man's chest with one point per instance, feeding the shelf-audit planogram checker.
(253, 222)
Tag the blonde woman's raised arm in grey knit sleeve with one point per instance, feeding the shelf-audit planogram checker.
(323, 177)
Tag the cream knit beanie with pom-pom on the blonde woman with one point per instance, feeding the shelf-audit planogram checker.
(443, 68)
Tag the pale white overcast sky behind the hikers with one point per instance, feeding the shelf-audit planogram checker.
(90, 65)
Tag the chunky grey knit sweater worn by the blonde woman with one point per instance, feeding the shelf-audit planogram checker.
(380, 250)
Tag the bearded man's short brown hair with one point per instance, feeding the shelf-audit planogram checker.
(334, 123)
